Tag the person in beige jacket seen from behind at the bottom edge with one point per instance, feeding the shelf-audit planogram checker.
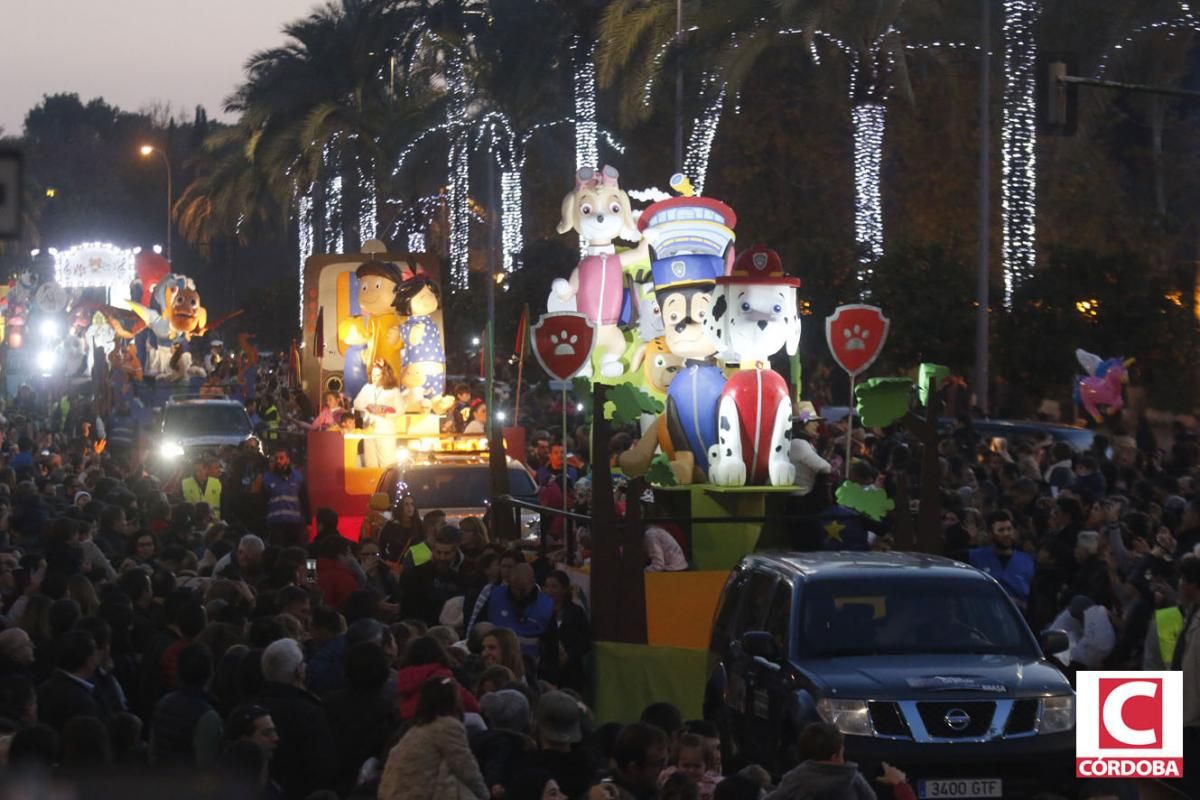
(434, 760)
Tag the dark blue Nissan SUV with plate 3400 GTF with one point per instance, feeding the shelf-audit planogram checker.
(920, 661)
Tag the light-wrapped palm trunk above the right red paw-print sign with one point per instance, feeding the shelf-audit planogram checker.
(868, 119)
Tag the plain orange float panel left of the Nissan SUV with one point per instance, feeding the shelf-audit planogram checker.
(680, 607)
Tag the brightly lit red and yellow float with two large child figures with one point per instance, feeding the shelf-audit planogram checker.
(359, 312)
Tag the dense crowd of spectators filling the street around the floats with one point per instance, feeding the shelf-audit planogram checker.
(187, 625)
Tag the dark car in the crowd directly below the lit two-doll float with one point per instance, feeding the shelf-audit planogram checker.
(458, 484)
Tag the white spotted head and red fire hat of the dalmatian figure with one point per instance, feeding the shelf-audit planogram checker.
(754, 310)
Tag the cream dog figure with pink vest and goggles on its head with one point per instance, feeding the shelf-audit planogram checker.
(599, 212)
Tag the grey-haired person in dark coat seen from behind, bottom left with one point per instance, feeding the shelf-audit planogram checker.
(307, 760)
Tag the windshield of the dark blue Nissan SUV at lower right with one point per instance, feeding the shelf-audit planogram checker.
(910, 616)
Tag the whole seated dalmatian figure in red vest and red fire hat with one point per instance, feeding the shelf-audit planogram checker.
(754, 317)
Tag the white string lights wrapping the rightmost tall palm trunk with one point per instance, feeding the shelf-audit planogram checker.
(1019, 146)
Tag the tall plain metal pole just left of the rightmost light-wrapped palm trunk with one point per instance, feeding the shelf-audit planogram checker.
(982, 274)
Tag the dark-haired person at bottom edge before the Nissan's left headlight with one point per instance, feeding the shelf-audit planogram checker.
(826, 774)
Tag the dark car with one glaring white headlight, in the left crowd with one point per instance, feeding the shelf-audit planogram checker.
(195, 426)
